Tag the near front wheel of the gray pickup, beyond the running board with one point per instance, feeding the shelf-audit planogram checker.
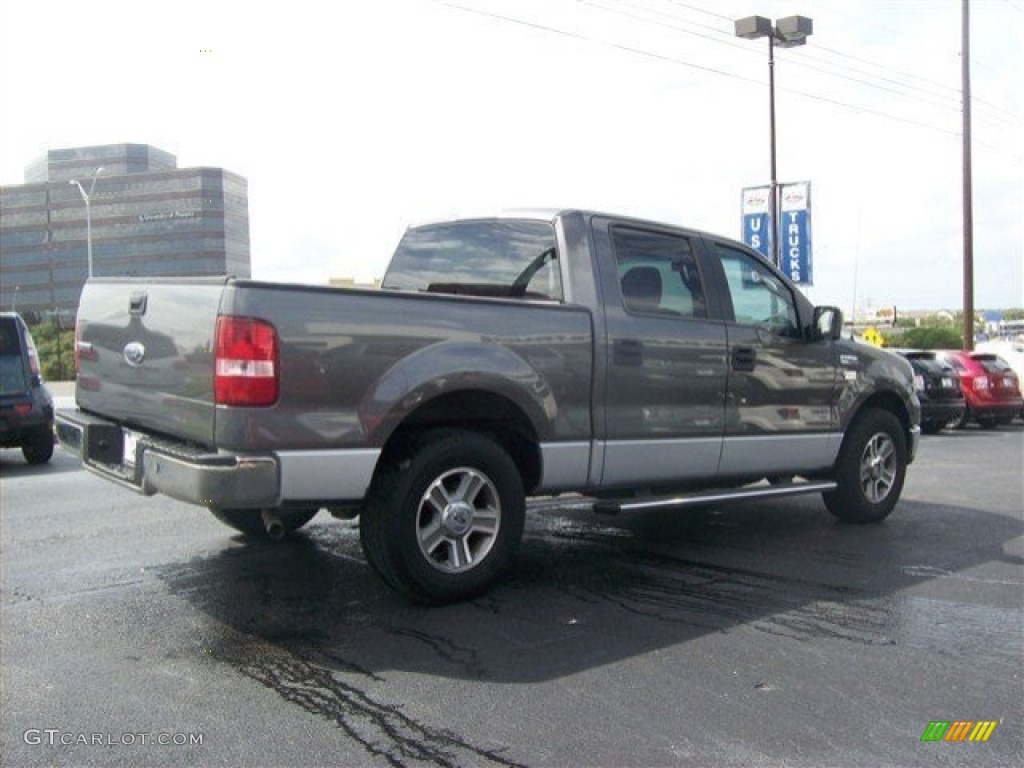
(871, 470)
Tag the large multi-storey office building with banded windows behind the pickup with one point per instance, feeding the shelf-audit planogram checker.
(147, 218)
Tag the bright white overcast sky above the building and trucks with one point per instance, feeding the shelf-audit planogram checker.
(351, 120)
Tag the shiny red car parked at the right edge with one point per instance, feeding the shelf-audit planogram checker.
(992, 388)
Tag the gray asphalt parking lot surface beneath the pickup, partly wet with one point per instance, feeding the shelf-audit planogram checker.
(143, 632)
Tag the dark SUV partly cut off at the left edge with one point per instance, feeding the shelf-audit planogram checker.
(26, 407)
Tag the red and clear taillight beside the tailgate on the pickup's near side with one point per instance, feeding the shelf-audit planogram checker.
(245, 363)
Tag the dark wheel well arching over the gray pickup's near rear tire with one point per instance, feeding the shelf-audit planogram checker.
(489, 414)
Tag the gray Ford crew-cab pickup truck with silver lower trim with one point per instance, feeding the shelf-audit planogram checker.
(636, 364)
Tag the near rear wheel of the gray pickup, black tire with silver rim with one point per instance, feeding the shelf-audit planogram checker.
(445, 517)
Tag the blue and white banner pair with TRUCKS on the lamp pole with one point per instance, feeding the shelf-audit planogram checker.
(795, 231)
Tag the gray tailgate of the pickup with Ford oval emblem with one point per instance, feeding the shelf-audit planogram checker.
(146, 354)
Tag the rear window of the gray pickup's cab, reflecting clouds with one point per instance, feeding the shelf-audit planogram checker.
(504, 259)
